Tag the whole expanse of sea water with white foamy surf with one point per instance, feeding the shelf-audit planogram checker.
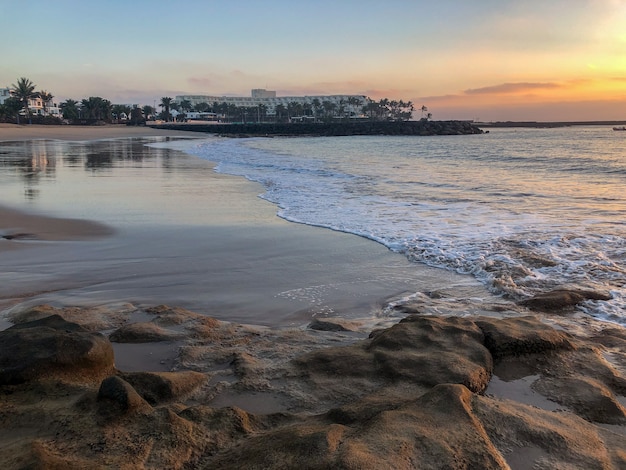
(523, 210)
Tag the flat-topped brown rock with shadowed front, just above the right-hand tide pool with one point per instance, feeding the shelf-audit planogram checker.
(522, 335)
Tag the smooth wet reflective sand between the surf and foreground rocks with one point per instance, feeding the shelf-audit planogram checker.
(180, 234)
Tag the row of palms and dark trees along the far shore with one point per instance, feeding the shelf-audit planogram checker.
(95, 108)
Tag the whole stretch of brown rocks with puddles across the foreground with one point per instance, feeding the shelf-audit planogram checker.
(415, 395)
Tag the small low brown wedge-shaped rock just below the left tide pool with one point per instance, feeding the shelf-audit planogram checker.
(161, 387)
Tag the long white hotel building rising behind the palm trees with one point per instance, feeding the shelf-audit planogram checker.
(353, 104)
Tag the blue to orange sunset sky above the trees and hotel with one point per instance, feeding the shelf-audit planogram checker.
(487, 60)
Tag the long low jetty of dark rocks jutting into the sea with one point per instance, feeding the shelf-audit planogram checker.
(423, 127)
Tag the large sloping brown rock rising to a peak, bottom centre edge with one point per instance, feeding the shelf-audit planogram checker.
(396, 438)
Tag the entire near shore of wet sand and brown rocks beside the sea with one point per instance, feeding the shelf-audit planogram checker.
(222, 336)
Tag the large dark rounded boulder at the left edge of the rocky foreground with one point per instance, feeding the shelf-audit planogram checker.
(51, 347)
